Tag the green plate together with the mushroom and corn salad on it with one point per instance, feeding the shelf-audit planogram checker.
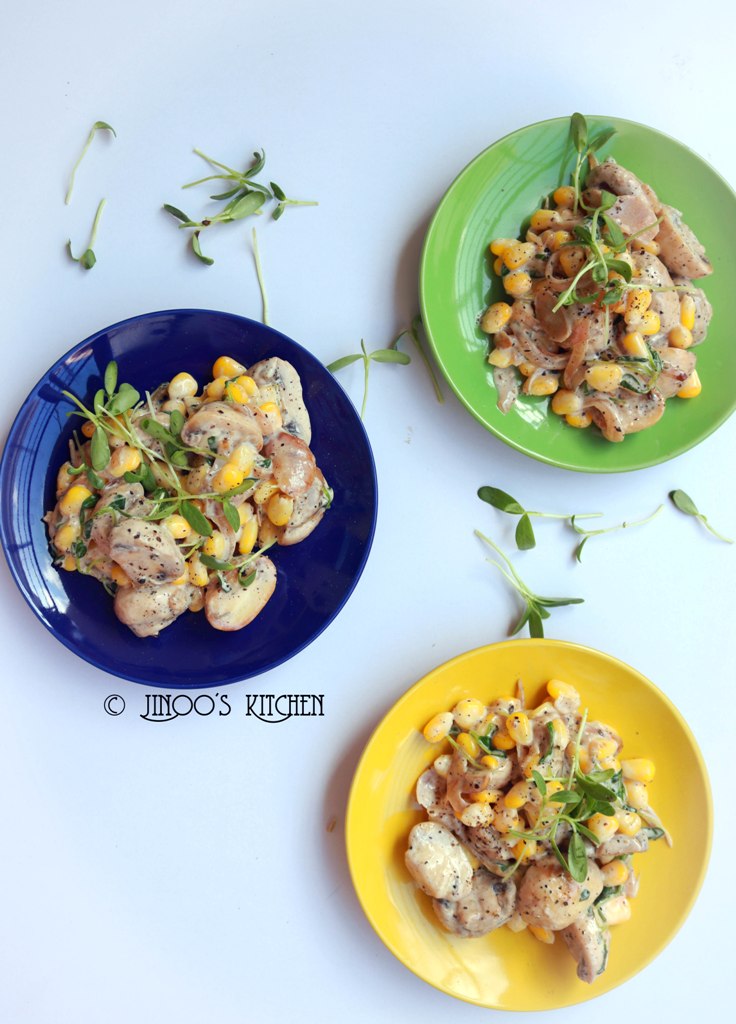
(594, 358)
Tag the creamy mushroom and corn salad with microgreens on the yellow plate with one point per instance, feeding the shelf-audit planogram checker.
(533, 823)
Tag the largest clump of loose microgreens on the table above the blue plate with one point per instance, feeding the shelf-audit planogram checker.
(245, 198)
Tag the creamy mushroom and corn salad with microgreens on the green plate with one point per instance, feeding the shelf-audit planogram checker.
(602, 312)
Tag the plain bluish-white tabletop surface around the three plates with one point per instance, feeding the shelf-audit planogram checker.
(184, 873)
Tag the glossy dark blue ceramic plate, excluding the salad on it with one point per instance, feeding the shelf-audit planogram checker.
(316, 578)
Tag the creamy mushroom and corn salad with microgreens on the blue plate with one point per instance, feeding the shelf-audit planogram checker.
(174, 500)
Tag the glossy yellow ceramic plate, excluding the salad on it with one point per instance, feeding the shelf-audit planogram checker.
(504, 971)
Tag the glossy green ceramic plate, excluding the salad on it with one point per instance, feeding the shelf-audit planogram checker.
(491, 199)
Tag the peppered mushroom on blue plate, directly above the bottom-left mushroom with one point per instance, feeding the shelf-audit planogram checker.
(146, 551)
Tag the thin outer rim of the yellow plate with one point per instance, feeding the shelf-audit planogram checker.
(570, 646)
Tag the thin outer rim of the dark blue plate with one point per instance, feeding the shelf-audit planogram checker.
(11, 443)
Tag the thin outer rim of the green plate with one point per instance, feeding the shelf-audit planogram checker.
(423, 272)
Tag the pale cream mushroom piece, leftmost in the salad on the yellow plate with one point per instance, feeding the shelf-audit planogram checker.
(438, 863)
